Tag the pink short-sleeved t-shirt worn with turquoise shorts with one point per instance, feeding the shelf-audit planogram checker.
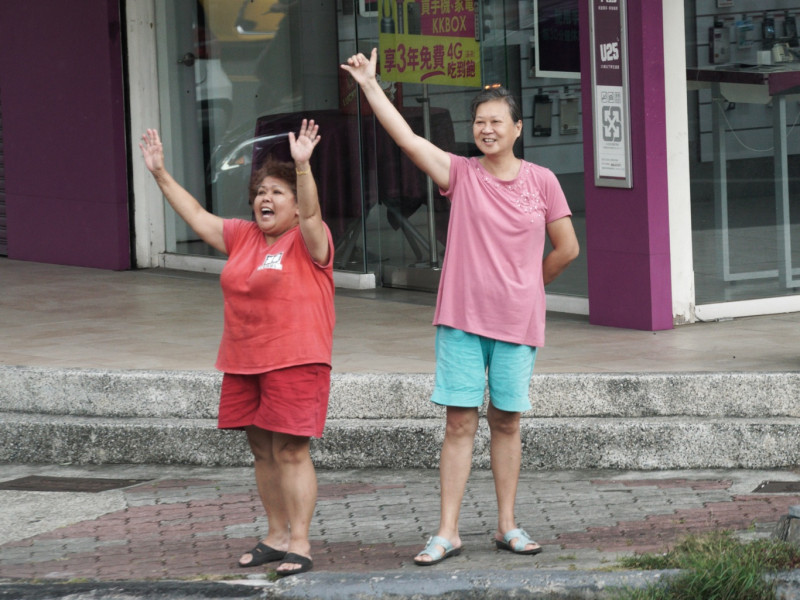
(491, 283)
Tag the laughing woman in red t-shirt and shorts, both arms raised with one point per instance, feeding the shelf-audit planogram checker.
(277, 336)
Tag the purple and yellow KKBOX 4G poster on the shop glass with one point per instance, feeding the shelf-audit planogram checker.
(424, 41)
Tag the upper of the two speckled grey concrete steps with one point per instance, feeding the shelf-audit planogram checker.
(195, 394)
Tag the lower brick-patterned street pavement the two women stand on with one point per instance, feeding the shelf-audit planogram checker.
(162, 524)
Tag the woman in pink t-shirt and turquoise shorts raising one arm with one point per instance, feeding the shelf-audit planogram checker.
(490, 310)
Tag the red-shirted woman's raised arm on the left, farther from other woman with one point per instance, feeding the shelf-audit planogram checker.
(208, 226)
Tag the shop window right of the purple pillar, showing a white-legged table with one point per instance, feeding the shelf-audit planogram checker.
(743, 73)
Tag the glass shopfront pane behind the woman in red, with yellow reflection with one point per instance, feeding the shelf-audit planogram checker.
(236, 76)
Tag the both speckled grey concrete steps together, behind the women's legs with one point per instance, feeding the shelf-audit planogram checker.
(620, 421)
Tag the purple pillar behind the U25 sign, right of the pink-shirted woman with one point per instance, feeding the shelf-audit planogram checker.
(627, 231)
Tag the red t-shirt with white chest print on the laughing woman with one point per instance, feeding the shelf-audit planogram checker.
(279, 309)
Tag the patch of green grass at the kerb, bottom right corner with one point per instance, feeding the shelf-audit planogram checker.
(716, 566)
